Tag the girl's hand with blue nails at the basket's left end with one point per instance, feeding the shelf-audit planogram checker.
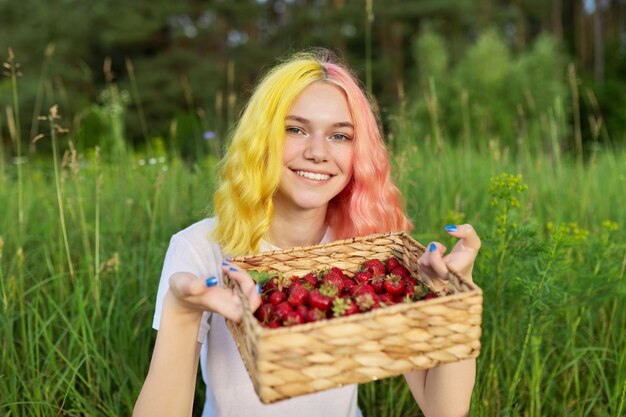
(193, 294)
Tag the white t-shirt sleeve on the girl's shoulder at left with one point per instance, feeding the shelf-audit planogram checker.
(181, 256)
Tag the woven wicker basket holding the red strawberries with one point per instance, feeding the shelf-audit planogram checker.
(291, 361)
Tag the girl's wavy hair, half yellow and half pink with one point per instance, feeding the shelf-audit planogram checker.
(250, 171)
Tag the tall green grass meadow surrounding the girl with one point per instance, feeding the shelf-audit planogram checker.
(83, 233)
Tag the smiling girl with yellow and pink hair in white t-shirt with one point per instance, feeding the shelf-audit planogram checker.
(306, 165)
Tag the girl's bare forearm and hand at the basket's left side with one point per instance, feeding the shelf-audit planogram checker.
(171, 381)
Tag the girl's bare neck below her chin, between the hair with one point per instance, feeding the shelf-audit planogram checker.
(290, 229)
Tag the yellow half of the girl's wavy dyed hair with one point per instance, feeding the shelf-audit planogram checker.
(250, 171)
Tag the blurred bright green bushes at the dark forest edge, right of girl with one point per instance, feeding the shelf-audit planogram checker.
(491, 93)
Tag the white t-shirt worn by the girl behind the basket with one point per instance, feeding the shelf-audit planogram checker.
(229, 390)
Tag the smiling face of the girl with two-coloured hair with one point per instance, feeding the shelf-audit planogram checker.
(319, 149)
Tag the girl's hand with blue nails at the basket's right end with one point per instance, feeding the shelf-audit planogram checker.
(434, 266)
